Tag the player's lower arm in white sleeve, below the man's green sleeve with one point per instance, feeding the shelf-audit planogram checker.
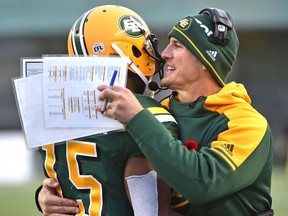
(143, 187)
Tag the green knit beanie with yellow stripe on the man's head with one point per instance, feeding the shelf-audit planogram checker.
(193, 32)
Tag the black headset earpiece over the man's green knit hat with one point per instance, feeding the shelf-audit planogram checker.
(222, 23)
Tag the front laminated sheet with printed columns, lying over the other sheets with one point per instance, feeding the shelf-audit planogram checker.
(70, 89)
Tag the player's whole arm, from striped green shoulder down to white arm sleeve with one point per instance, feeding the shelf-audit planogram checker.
(138, 170)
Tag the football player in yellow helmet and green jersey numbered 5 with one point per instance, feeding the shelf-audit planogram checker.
(95, 170)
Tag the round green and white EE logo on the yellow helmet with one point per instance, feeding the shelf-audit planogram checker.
(128, 27)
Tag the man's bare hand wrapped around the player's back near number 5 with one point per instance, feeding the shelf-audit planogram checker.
(53, 205)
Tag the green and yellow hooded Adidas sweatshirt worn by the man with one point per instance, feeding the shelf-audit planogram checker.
(230, 173)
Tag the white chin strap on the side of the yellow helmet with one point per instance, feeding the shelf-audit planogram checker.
(147, 91)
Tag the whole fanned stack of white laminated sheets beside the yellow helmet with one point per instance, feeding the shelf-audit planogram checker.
(56, 97)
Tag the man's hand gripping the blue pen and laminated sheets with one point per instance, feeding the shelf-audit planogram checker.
(123, 105)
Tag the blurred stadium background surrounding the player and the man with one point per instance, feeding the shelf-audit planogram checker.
(32, 28)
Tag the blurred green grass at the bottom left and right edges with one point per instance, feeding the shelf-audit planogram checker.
(19, 200)
